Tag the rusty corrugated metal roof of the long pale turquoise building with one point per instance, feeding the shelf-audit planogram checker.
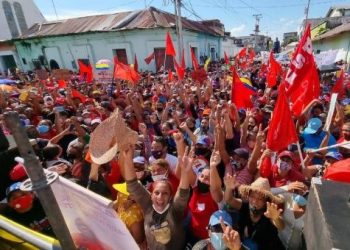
(141, 19)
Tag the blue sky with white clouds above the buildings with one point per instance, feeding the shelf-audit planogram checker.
(278, 16)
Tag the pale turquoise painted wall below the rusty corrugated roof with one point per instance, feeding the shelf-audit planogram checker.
(100, 46)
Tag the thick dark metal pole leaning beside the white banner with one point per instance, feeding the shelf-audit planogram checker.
(37, 176)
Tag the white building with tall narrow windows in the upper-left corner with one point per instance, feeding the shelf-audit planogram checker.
(16, 16)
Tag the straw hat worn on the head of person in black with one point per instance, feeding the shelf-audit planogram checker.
(261, 186)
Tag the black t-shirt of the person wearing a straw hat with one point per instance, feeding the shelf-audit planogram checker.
(263, 233)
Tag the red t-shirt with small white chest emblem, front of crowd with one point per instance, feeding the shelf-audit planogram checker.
(202, 206)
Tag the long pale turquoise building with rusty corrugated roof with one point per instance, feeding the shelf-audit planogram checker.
(126, 34)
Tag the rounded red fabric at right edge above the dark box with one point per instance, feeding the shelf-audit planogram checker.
(339, 171)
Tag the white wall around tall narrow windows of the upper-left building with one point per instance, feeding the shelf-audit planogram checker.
(31, 13)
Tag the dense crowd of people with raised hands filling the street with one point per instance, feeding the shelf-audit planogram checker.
(199, 175)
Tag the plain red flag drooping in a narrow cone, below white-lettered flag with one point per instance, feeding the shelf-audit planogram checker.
(281, 128)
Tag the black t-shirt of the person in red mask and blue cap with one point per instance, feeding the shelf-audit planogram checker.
(34, 219)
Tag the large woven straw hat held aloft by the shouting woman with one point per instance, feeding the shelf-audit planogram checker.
(111, 136)
